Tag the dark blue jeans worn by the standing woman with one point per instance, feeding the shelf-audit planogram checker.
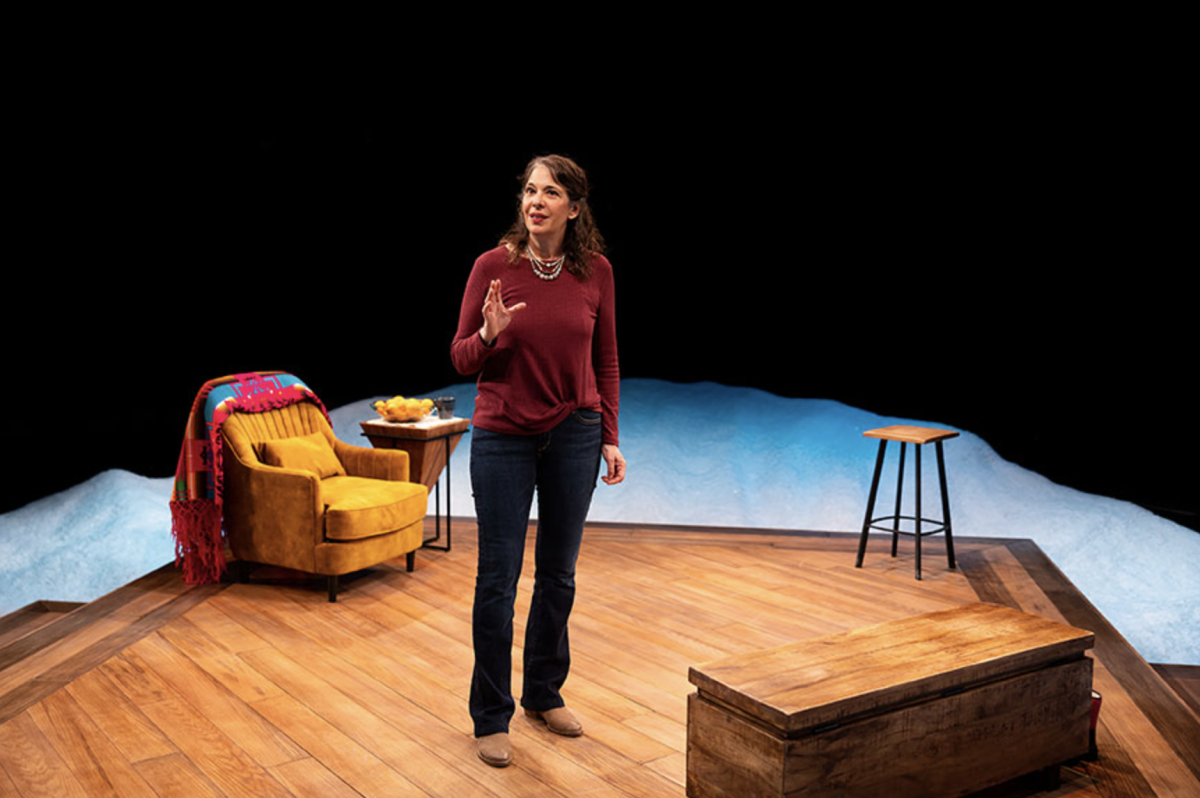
(506, 470)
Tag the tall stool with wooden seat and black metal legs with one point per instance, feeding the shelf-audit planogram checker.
(919, 436)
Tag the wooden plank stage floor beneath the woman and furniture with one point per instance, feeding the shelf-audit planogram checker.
(267, 689)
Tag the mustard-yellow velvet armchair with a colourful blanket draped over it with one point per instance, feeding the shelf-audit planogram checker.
(298, 497)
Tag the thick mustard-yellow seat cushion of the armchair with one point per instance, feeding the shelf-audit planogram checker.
(358, 508)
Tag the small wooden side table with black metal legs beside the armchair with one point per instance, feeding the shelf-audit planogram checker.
(427, 457)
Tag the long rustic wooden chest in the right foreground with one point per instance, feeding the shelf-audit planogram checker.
(943, 704)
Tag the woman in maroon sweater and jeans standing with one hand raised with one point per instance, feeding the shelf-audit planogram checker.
(538, 326)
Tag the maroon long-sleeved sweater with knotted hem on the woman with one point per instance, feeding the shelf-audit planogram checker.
(560, 353)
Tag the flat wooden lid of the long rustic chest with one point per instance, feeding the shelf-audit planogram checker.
(868, 671)
